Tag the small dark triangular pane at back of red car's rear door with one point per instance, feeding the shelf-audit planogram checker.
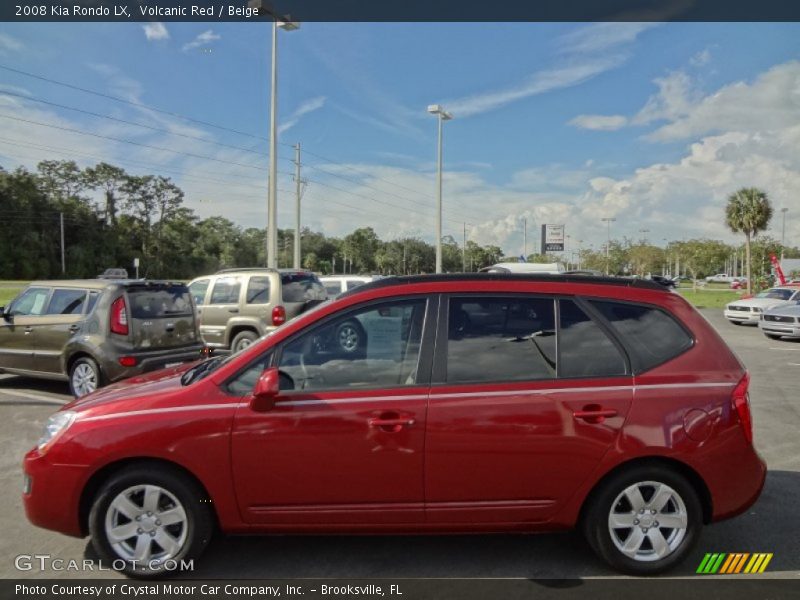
(584, 348)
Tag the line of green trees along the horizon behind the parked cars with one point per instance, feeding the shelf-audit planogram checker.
(111, 217)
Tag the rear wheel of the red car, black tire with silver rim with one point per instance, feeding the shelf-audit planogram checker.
(644, 558)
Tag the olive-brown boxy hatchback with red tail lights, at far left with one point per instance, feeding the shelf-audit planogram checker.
(94, 332)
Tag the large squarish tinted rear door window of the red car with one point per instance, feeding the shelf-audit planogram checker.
(501, 339)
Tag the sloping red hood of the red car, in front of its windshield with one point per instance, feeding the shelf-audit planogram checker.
(155, 385)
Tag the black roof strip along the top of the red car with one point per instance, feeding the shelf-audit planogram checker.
(506, 277)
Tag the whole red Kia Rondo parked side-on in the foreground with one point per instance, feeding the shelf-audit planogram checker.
(483, 403)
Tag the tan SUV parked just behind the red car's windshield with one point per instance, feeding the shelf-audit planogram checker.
(238, 306)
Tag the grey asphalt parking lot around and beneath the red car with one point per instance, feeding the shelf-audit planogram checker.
(769, 526)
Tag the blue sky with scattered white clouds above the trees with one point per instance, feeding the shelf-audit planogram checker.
(652, 124)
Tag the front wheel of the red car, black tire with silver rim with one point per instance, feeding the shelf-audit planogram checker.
(186, 538)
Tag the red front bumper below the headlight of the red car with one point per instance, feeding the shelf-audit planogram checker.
(51, 493)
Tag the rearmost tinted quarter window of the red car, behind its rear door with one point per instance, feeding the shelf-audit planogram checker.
(652, 336)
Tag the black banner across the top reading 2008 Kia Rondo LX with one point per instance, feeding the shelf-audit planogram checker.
(399, 10)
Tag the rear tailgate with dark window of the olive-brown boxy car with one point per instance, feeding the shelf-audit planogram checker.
(162, 316)
